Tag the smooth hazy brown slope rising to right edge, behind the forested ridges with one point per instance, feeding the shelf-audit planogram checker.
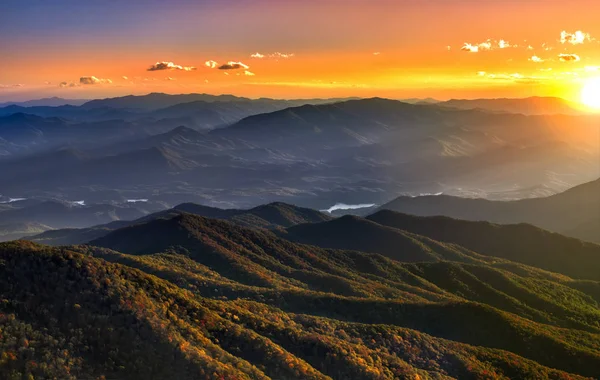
(575, 208)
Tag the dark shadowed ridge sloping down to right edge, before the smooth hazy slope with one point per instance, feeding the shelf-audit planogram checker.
(522, 243)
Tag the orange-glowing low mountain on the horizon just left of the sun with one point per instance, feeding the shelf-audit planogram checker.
(526, 106)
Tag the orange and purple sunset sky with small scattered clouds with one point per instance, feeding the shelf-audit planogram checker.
(299, 48)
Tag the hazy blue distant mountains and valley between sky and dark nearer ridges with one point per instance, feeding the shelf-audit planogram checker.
(238, 152)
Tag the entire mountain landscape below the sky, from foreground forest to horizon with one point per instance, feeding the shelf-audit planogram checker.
(178, 237)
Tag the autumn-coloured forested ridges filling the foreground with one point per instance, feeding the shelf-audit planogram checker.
(184, 296)
